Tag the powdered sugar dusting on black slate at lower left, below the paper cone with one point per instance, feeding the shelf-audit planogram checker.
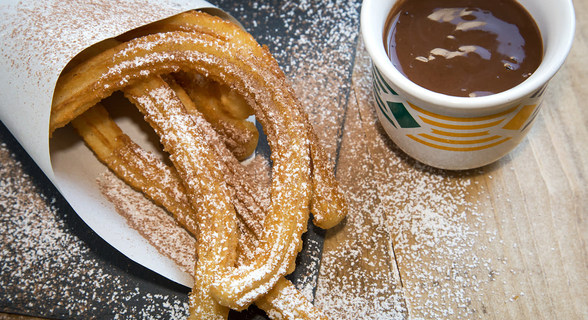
(39, 255)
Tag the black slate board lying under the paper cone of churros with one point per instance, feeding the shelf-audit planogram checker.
(54, 266)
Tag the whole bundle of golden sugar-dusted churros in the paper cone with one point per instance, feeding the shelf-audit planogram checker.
(196, 79)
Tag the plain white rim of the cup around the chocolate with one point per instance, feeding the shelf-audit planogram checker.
(373, 40)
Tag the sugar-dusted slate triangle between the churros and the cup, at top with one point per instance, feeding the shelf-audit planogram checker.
(315, 46)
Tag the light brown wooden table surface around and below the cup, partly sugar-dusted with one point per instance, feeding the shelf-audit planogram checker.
(506, 241)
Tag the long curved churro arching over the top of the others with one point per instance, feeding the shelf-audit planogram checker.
(286, 133)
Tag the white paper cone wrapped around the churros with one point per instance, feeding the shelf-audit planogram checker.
(39, 38)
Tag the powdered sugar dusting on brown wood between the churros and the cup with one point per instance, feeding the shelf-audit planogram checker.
(438, 237)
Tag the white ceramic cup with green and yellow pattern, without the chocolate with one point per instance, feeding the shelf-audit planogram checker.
(451, 132)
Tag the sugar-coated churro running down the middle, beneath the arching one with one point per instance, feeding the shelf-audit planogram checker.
(198, 167)
